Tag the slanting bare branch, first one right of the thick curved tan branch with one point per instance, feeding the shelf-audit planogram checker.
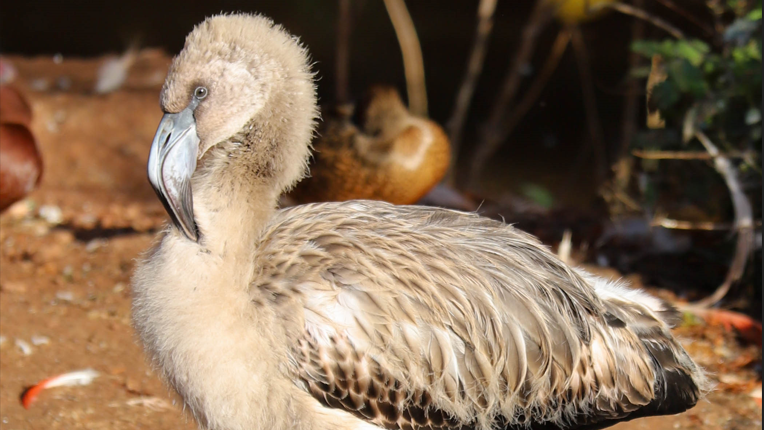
(455, 124)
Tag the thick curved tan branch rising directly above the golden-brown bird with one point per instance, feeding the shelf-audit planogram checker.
(413, 64)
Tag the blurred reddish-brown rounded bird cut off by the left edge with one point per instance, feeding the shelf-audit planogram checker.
(20, 161)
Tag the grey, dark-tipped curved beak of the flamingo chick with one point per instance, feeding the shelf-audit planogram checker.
(172, 162)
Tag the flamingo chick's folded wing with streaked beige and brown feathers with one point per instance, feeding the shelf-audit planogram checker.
(428, 318)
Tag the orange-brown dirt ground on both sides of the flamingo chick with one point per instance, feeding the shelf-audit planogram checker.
(68, 251)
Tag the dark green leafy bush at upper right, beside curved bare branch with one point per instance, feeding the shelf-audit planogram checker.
(714, 86)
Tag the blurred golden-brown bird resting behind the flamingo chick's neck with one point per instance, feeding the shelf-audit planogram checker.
(391, 156)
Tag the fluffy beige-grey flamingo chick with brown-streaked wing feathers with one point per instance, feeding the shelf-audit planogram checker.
(362, 314)
